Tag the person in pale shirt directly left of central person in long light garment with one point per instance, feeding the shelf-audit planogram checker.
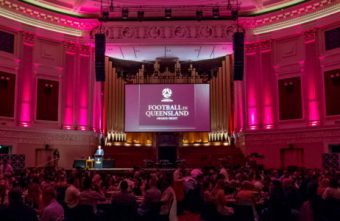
(152, 197)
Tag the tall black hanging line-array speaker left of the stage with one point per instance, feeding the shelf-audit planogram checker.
(100, 56)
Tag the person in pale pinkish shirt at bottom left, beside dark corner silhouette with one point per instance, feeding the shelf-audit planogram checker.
(53, 211)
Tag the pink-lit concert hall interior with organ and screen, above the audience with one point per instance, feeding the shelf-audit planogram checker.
(160, 84)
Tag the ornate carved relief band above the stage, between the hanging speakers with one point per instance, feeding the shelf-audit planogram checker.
(163, 31)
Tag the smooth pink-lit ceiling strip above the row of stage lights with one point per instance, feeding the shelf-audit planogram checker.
(155, 8)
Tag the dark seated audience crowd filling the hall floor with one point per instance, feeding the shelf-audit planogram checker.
(238, 193)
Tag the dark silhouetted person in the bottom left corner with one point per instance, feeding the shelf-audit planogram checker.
(17, 210)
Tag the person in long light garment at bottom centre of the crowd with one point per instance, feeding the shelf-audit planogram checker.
(168, 209)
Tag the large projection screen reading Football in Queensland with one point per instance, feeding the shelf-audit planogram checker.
(167, 107)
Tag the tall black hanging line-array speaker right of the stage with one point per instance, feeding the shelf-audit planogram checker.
(238, 45)
